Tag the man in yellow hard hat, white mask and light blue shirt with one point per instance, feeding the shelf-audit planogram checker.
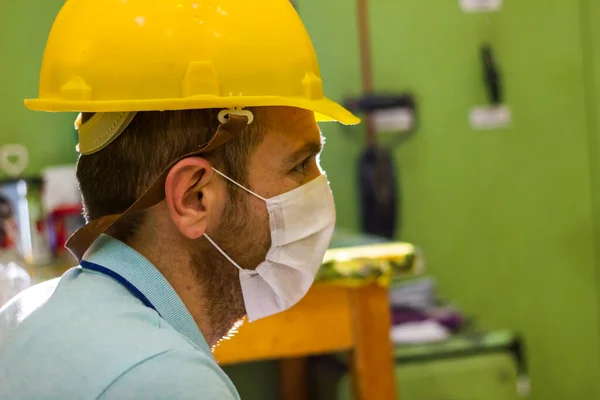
(200, 180)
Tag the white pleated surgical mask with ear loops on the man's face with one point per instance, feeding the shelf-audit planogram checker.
(301, 223)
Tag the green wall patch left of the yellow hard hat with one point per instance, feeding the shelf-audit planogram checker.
(50, 138)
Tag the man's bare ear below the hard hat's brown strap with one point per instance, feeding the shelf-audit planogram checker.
(188, 195)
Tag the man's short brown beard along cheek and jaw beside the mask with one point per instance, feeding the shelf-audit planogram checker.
(238, 235)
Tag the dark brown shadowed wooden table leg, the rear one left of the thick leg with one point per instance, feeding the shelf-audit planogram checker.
(293, 379)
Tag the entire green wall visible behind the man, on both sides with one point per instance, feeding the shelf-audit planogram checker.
(508, 219)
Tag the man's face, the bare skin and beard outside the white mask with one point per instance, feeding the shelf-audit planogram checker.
(286, 159)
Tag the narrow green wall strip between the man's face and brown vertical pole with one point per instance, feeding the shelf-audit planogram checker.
(335, 38)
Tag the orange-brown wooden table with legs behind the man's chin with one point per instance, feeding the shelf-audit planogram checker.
(329, 319)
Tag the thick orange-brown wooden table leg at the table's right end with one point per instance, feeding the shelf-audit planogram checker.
(373, 356)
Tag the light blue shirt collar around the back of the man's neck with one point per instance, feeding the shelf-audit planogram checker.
(115, 255)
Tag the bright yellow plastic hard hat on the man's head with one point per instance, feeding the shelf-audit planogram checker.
(148, 55)
